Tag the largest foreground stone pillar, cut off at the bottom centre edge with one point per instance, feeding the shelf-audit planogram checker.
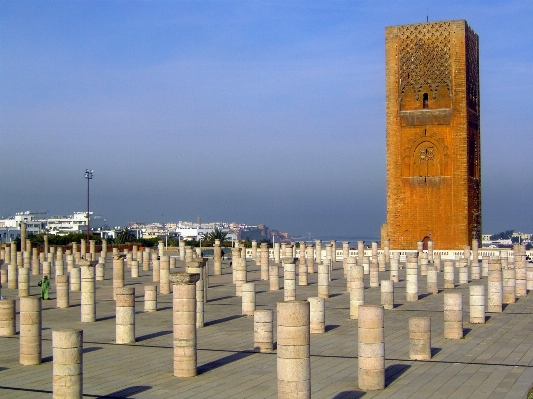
(294, 365)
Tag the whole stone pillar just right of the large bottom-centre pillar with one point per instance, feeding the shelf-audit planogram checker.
(371, 348)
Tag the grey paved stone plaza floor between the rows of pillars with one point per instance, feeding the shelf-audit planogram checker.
(493, 360)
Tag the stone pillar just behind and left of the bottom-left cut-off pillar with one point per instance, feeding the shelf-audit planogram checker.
(30, 330)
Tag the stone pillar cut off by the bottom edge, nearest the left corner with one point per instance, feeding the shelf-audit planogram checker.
(67, 363)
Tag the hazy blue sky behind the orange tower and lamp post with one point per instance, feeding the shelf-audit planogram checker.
(260, 112)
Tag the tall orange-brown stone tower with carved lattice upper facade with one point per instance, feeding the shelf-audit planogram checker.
(433, 135)
